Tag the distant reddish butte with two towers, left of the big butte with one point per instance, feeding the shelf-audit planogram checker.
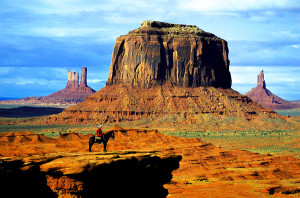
(73, 93)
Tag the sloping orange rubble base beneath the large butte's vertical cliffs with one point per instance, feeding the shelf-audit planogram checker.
(117, 103)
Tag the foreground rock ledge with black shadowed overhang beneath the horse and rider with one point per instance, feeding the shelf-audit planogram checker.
(114, 174)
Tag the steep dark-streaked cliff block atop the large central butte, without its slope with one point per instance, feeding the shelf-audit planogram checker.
(159, 53)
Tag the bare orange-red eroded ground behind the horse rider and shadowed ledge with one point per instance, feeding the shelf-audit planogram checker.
(205, 170)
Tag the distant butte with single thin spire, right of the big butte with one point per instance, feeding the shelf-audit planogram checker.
(266, 98)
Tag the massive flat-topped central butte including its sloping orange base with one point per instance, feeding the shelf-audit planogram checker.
(163, 69)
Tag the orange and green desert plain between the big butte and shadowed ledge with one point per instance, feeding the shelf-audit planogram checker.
(214, 164)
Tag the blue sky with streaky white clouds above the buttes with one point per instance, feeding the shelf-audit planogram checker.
(40, 40)
